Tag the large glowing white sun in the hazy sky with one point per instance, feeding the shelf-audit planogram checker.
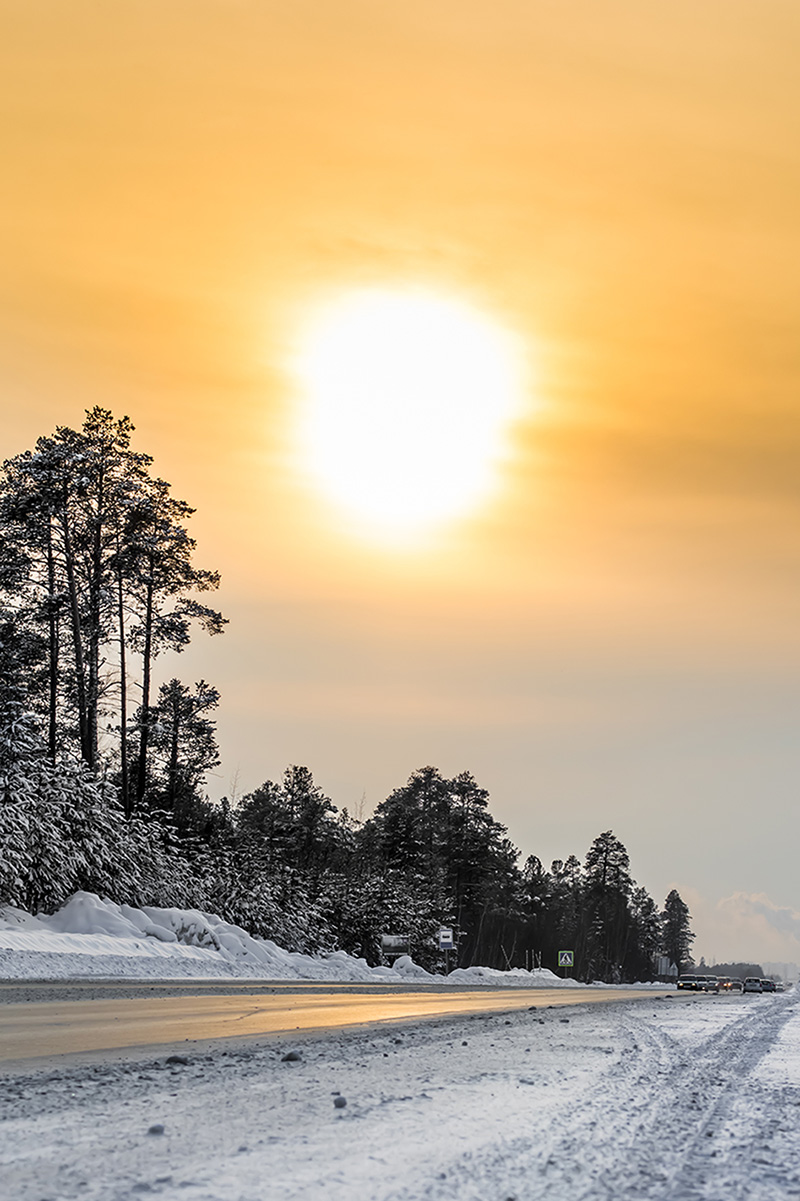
(405, 405)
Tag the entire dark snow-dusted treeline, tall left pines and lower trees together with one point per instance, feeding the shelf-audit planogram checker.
(103, 782)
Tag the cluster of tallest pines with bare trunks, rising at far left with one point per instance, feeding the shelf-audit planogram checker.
(97, 564)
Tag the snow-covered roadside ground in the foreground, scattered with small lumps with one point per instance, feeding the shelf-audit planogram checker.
(682, 1098)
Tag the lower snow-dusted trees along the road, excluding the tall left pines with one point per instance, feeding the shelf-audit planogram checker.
(286, 865)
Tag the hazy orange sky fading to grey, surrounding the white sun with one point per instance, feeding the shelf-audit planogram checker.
(614, 642)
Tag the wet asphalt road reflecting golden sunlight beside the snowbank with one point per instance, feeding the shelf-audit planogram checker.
(39, 1029)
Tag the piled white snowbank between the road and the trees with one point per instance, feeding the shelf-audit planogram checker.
(91, 937)
